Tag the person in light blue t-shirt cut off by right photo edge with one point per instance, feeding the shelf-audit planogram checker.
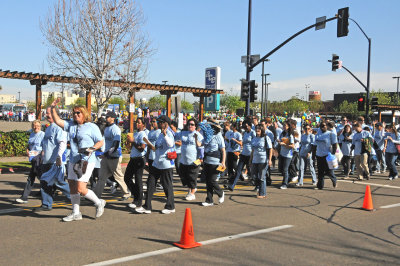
(392, 137)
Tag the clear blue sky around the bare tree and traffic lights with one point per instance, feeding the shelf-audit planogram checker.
(191, 35)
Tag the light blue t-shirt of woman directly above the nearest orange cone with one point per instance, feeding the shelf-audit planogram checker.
(189, 148)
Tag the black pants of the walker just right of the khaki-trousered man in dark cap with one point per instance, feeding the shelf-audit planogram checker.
(135, 169)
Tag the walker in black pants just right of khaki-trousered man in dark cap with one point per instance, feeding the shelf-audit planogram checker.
(136, 163)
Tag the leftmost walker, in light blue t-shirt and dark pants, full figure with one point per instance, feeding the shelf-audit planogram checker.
(34, 154)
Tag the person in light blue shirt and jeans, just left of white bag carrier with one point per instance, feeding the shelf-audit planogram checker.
(306, 142)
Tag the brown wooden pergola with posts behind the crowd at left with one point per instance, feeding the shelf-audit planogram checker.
(38, 80)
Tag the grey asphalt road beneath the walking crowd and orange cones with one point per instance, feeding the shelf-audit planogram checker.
(324, 228)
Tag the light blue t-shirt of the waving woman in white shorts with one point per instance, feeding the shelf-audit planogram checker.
(82, 136)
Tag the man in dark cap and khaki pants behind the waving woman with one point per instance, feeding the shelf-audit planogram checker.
(111, 163)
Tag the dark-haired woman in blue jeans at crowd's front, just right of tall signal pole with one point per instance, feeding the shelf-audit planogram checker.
(261, 159)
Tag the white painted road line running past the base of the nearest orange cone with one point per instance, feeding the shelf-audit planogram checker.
(174, 249)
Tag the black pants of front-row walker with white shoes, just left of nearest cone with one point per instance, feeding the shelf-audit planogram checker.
(166, 178)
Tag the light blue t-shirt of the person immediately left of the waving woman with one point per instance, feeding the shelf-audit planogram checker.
(51, 142)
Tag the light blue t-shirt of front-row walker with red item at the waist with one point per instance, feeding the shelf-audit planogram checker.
(161, 160)
